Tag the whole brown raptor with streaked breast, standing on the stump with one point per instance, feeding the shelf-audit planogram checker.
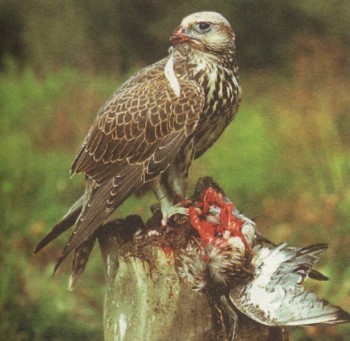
(152, 128)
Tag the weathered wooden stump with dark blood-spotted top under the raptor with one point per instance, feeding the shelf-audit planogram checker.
(147, 300)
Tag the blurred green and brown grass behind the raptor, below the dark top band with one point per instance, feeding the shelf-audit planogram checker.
(284, 161)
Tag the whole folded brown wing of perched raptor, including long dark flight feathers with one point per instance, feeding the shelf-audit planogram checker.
(134, 139)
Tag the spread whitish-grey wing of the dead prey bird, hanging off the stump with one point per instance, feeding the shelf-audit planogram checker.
(275, 295)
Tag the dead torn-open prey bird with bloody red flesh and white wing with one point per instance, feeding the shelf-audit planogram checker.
(231, 260)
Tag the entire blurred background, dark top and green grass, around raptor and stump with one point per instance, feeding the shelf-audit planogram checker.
(284, 161)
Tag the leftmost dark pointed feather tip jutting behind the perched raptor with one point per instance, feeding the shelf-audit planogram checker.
(64, 224)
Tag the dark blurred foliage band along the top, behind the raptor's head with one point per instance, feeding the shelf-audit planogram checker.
(118, 34)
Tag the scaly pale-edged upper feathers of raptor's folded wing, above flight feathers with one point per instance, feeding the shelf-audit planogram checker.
(135, 124)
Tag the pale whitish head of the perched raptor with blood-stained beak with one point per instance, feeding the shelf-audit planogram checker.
(205, 31)
